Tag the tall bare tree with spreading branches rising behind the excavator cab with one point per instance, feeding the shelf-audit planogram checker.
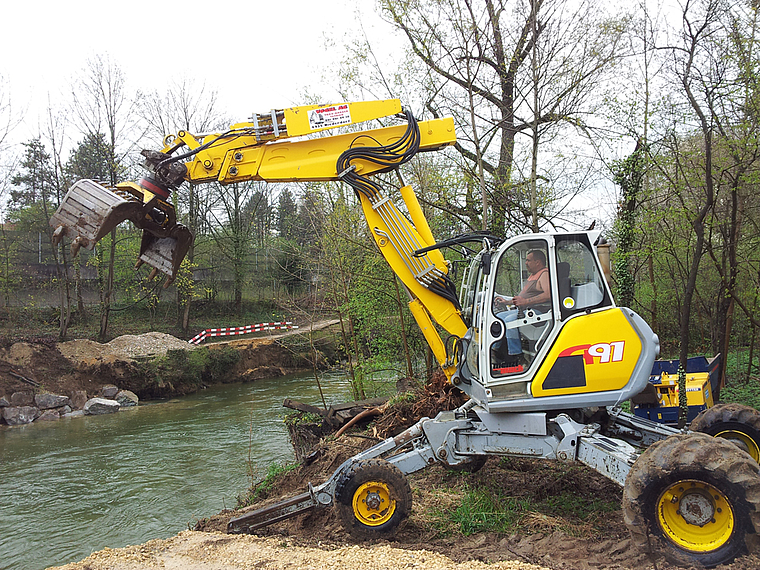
(476, 65)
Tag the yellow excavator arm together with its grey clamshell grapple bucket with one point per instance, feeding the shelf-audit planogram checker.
(273, 147)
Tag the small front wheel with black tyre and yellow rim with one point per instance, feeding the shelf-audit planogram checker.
(373, 498)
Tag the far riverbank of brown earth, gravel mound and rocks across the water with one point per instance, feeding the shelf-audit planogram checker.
(152, 366)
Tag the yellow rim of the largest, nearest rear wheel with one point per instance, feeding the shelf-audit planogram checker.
(695, 516)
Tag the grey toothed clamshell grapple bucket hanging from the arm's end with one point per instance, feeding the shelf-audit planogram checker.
(90, 211)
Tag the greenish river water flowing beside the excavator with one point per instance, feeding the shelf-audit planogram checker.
(77, 485)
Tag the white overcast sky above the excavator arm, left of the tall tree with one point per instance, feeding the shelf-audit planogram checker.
(258, 55)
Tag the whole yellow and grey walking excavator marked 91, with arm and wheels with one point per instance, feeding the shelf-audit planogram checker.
(531, 334)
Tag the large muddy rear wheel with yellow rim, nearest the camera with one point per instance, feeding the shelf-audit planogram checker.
(694, 499)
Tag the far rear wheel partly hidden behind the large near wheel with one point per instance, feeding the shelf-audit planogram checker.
(737, 423)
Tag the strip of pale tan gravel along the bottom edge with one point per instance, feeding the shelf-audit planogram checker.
(206, 551)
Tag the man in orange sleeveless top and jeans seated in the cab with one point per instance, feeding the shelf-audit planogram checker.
(536, 294)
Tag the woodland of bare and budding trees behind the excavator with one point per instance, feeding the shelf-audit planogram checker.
(561, 107)
